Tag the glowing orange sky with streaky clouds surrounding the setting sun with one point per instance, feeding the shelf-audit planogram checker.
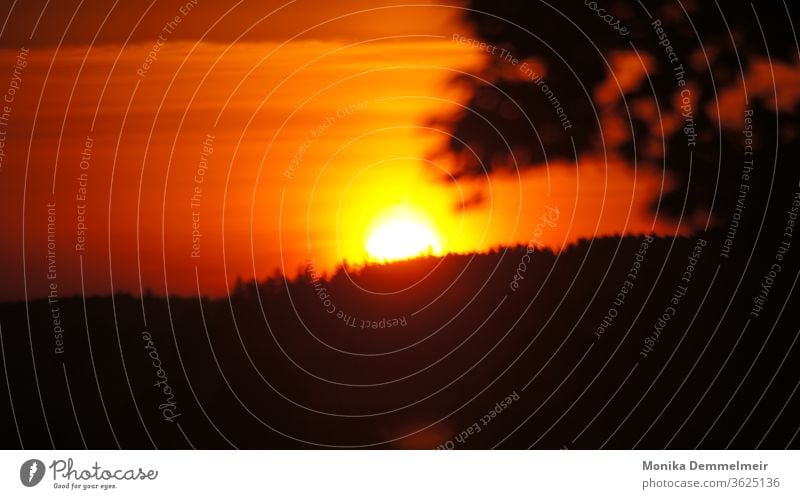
(312, 139)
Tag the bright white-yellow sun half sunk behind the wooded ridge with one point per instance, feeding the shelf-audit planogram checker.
(401, 234)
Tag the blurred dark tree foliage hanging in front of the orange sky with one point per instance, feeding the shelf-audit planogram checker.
(696, 54)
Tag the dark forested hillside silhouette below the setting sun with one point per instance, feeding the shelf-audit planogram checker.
(290, 364)
